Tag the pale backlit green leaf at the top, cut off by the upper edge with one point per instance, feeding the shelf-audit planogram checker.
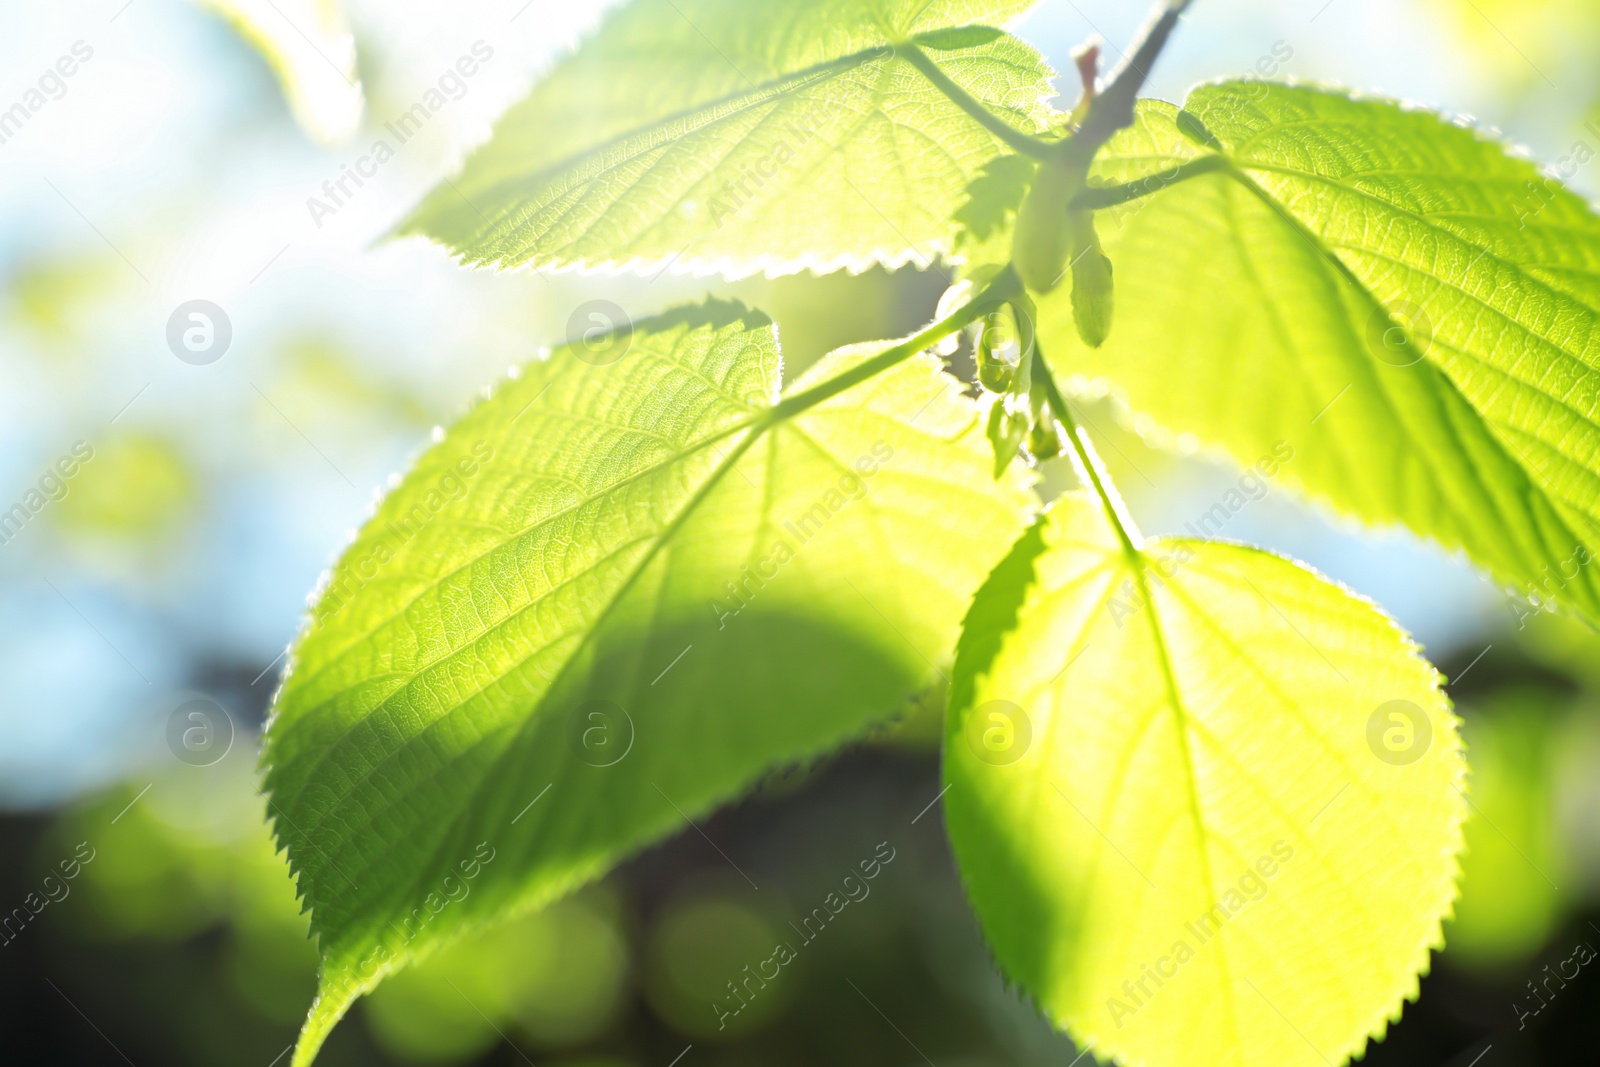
(719, 135)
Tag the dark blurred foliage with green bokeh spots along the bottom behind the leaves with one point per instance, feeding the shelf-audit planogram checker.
(180, 943)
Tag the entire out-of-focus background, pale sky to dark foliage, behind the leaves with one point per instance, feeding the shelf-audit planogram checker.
(207, 495)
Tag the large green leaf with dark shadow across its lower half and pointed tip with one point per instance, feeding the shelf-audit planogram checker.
(609, 599)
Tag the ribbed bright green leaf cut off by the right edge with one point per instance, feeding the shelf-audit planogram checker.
(1404, 305)
